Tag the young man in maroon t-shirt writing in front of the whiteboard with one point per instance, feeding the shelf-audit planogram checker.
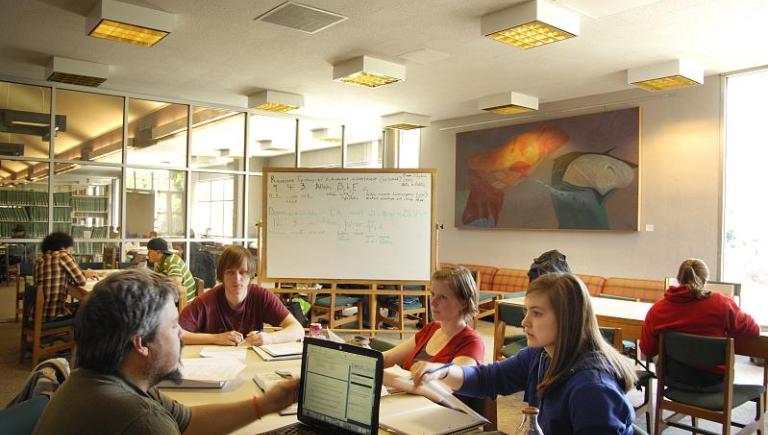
(236, 310)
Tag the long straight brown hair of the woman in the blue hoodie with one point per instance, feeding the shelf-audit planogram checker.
(577, 331)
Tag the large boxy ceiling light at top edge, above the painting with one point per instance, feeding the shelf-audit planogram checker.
(531, 24)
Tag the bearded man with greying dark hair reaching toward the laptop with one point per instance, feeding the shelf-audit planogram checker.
(128, 340)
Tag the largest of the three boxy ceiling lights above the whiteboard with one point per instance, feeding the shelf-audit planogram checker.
(368, 71)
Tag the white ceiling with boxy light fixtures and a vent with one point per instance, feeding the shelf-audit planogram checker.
(219, 54)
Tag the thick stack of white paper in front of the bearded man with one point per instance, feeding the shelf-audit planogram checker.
(206, 372)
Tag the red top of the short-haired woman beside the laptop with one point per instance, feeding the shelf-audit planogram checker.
(466, 343)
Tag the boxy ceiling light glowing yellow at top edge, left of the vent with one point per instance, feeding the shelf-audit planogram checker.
(129, 23)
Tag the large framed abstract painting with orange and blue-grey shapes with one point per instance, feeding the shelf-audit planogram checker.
(578, 173)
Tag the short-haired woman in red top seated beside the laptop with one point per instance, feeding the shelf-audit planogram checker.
(448, 338)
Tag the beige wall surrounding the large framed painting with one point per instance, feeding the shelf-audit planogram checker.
(680, 189)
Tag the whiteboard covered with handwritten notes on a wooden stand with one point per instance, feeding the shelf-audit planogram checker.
(358, 224)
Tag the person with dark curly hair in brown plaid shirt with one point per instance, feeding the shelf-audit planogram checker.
(56, 273)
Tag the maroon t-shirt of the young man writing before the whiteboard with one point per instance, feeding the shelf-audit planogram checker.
(210, 313)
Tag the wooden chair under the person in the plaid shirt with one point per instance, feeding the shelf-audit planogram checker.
(42, 338)
